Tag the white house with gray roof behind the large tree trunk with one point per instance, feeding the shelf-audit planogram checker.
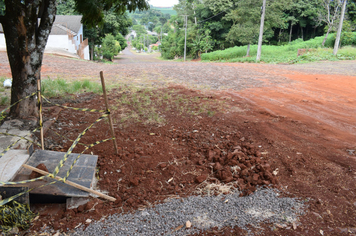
(66, 36)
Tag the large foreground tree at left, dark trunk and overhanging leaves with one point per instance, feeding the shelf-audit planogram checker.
(27, 25)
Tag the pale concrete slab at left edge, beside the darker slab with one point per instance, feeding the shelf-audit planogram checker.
(10, 164)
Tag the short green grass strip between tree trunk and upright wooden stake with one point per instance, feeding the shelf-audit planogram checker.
(62, 88)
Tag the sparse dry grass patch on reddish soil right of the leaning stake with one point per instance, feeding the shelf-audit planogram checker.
(149, 106)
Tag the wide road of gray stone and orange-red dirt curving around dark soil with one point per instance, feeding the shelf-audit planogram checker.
(304, 115)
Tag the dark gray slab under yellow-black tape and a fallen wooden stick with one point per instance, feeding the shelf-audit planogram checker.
(82, 173)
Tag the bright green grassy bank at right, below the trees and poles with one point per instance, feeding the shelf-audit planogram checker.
(284, 54)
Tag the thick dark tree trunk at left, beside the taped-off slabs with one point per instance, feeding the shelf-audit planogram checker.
(26, 28)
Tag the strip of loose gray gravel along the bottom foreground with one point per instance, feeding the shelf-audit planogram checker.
(264, 205)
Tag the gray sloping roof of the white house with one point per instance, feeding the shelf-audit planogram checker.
(63, 24)
